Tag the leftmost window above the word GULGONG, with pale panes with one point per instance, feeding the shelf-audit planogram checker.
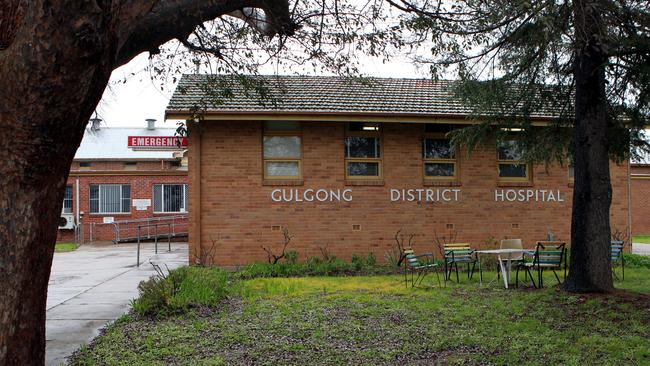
(282, 150)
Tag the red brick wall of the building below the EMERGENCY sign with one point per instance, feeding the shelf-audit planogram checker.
(141, 188)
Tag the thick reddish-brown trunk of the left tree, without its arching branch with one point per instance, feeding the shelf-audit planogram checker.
(51, 78)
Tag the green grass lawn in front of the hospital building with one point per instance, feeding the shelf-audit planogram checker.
(375, 320)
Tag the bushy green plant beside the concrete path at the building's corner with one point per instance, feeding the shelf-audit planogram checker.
(180, 290)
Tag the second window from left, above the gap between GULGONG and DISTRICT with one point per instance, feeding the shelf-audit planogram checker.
(363, 151)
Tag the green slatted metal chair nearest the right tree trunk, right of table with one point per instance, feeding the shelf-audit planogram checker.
(548, 255)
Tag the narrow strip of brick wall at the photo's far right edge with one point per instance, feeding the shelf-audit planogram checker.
(640, 192)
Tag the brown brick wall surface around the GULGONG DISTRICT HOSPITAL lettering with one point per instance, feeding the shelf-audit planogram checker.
(231, 206)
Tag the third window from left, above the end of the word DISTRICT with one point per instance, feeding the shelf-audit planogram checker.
(439, 159)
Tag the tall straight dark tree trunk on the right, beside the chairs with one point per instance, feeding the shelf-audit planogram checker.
(589, 270)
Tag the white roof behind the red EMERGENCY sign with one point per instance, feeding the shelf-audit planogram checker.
(111, 143)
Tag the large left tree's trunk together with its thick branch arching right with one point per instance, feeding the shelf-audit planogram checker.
(55, 61)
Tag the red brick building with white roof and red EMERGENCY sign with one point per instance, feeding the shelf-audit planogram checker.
(121, 174)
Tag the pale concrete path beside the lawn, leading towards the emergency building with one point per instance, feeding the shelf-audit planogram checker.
(94, 285)
